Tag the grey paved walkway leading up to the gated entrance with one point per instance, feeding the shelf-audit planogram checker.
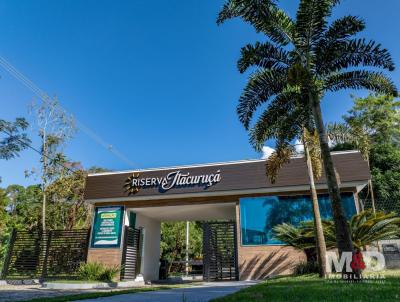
(200, 293)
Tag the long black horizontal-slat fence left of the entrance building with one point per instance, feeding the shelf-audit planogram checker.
(52, 254)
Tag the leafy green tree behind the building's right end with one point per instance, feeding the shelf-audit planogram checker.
(372, 126)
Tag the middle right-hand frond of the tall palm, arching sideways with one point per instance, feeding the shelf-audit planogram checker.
(353, 53)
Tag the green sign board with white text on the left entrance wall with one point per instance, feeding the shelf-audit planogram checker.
(107, 227)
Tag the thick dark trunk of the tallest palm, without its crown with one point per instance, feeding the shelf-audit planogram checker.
(343, 237)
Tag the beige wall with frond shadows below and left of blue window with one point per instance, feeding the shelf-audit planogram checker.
(260, 262)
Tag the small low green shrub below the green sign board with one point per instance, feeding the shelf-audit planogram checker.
(94, 271)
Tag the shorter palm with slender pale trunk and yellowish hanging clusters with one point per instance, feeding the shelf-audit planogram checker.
(285, 124)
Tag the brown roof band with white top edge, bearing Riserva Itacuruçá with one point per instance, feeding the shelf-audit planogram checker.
(240, 177)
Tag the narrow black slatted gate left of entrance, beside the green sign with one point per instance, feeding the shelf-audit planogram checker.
(130, 265)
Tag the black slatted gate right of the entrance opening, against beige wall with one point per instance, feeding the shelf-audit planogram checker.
(220, 251)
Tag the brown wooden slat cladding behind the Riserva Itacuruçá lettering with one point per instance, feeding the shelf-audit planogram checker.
(237, 176)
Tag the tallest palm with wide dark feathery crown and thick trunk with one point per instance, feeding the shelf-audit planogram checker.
(301, 60)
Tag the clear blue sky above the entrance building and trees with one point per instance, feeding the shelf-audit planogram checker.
(156, 79)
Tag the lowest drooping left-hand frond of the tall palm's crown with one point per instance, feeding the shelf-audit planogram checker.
(261, 86)
